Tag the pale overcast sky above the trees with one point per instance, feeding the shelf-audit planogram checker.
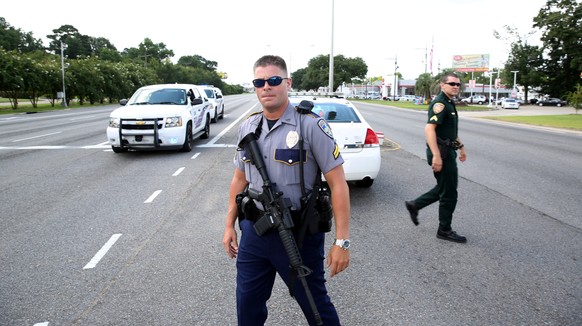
(234, 33)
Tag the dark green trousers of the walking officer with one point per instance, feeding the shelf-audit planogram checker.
(445, 192)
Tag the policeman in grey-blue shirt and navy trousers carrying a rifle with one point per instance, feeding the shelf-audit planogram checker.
(260, 257)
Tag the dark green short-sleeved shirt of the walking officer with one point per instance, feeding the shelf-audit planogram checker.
(443, 113)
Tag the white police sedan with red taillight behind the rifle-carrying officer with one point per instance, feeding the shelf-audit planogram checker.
(357, 141)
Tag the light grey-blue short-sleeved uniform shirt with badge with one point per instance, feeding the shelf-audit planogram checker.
(280, 149)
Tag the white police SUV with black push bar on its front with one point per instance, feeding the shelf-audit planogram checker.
(166, 116)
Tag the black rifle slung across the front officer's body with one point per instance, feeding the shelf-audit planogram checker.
(277, 215)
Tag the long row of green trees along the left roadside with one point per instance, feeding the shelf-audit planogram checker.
(95, 71)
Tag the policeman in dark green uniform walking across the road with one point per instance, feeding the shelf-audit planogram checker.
(442, 141)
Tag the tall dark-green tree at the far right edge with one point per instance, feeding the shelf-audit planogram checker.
(561, 24)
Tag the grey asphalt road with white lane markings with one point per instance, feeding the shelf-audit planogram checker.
(89, 237)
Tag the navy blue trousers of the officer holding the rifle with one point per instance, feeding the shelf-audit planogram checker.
(258, 261)
